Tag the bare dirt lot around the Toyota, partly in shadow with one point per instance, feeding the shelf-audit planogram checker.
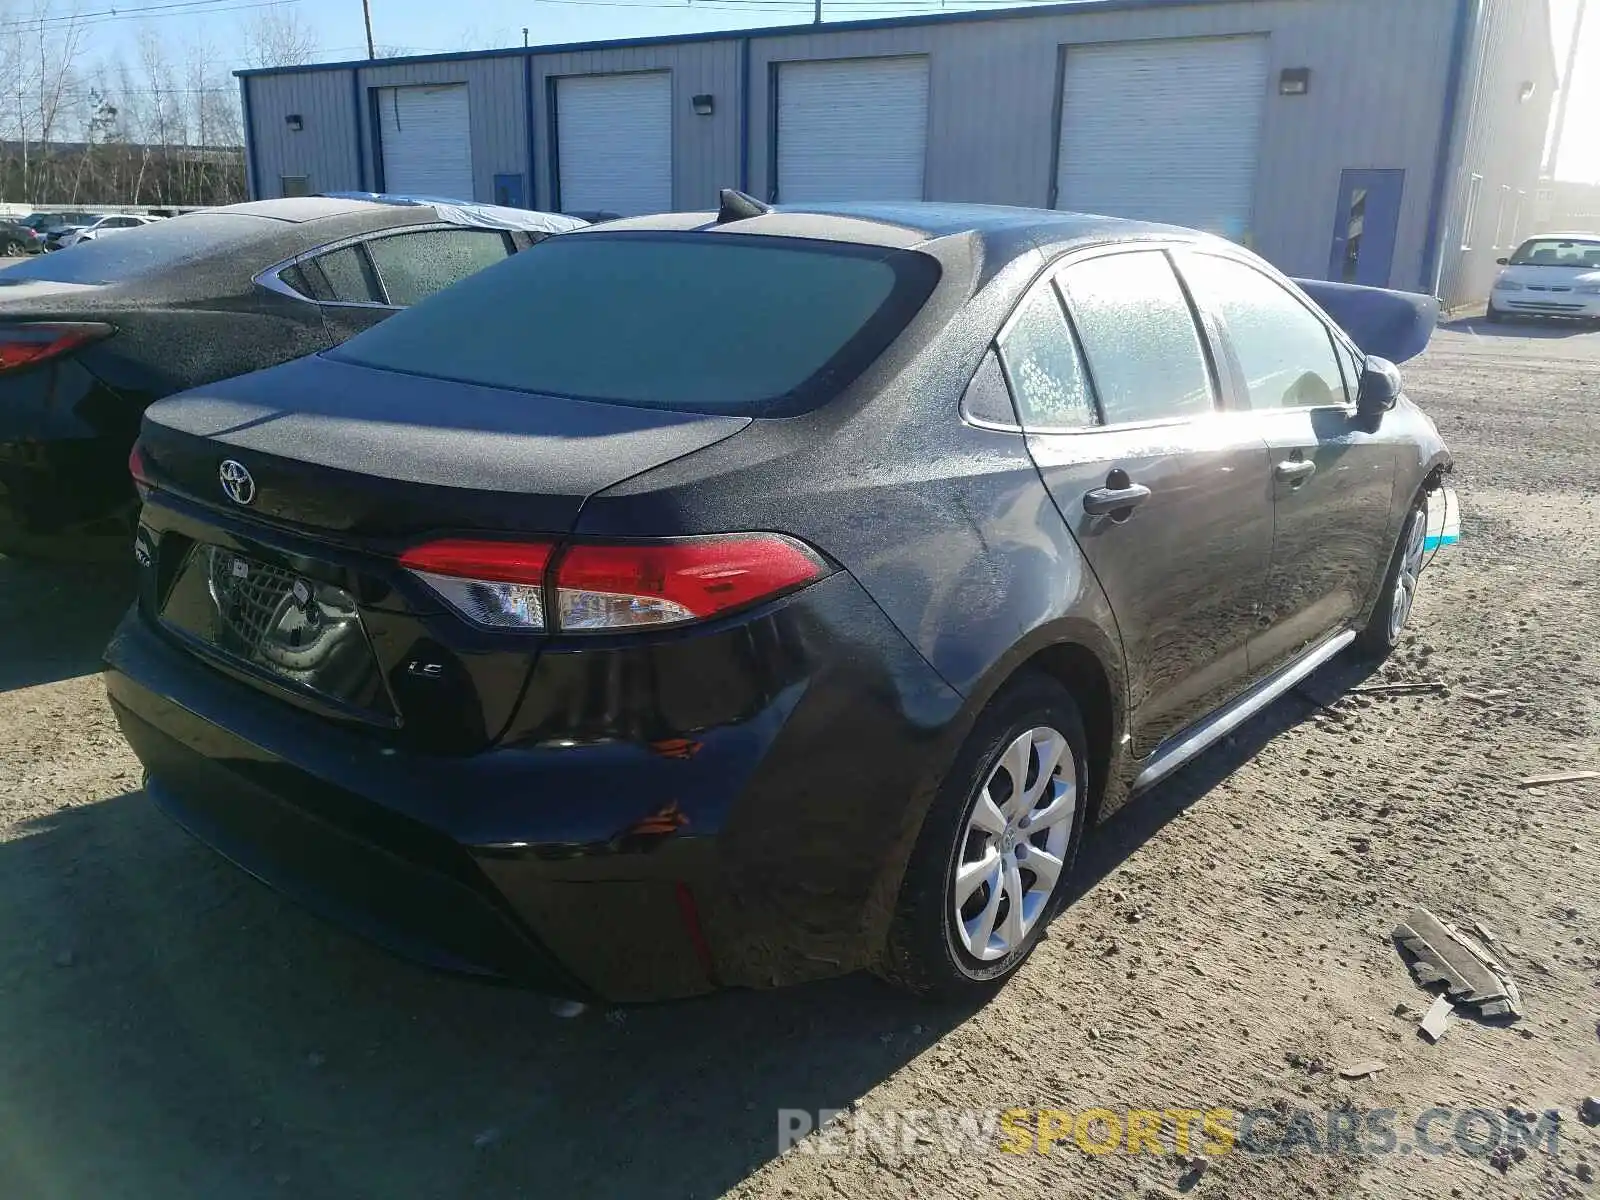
(172, 1030)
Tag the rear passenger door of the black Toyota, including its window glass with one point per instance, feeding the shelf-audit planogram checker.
(1169, 498)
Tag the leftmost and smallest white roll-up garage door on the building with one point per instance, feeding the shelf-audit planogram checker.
(426, 135)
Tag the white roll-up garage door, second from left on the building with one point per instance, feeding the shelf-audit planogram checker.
(615, 143)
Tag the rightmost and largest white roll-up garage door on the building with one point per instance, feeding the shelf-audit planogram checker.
(1164, 130)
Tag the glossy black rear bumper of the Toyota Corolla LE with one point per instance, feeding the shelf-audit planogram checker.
(762, 852)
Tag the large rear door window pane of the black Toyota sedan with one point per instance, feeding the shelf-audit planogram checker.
(1140, 338)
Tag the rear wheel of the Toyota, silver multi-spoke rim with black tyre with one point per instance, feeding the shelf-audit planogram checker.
(996, 849)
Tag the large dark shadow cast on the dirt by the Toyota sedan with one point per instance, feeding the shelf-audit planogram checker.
(175, 1030)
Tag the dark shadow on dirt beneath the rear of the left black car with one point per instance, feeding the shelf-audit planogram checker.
(57, 618)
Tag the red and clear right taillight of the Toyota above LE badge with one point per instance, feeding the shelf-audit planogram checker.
(614, 586)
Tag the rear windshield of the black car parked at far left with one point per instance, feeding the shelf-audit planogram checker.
(143, 252)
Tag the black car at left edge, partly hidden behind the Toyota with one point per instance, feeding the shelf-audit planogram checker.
(92, 335)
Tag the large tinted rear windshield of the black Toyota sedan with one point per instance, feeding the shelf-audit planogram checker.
(697, 322)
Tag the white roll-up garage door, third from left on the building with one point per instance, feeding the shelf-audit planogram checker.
(852, 129)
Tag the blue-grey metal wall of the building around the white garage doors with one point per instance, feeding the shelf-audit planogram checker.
(1375, 103)
